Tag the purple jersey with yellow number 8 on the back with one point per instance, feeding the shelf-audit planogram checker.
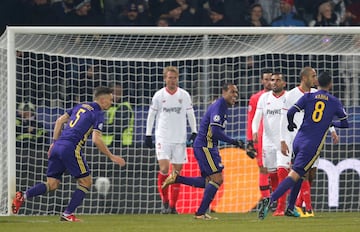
(320, 108)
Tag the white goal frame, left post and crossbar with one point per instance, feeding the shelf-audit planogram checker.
(11, 63)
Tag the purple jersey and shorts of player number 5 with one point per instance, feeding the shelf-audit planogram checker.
(66, 153)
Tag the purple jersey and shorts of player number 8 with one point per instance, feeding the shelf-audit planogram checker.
(320, 109)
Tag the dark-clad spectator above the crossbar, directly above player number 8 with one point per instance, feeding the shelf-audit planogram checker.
(325, 16)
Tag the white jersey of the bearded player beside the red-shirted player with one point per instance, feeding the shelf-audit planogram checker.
(270, 107)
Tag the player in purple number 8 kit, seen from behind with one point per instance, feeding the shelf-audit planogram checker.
(320, 108)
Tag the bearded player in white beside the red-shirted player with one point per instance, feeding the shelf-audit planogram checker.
(269, 108)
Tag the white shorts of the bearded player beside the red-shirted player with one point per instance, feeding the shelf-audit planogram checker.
(273, 158)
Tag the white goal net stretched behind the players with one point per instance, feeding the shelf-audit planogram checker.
(44, 71)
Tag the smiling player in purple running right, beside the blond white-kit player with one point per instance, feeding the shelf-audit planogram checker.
(211, 130)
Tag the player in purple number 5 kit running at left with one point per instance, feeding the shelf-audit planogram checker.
(65, 152)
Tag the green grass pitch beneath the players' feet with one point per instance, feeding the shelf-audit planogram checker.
(247, 222)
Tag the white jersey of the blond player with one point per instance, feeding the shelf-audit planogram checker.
(171, 111)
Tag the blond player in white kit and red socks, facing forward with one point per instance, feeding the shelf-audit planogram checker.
(170, 108)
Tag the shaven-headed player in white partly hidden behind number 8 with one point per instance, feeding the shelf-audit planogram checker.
(308, 79)
